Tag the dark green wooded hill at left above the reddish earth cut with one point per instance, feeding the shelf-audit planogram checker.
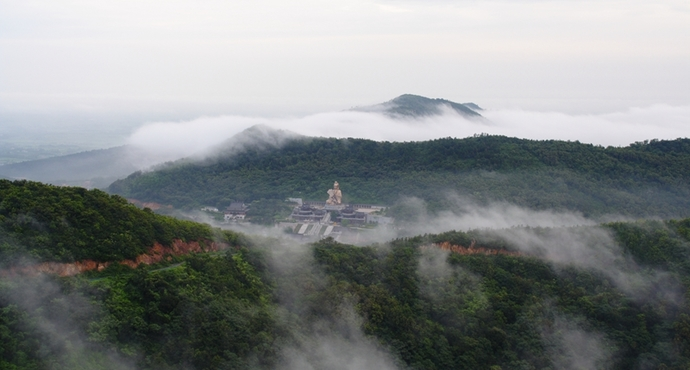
(67, 224)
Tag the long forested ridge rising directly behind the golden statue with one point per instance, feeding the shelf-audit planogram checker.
(650, 178)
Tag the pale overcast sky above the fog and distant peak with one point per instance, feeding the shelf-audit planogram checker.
(125, 63)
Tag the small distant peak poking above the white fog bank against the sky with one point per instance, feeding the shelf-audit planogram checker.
(409, 105)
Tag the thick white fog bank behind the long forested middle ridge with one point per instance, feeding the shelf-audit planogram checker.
(183, 138)
